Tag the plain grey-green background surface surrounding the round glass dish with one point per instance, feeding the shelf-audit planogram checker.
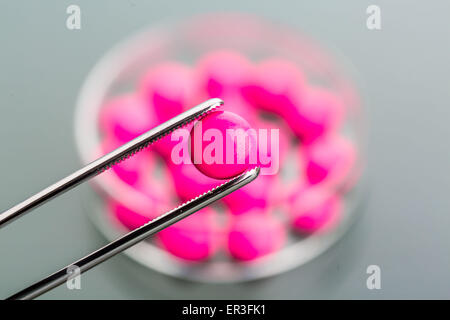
(405, 69)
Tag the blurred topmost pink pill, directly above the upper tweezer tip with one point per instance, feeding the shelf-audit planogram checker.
(223, 72)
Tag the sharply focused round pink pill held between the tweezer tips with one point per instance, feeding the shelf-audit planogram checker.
(221, 145)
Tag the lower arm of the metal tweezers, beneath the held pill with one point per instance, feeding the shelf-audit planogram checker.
(138, 235)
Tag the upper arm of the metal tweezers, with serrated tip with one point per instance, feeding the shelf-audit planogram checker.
(109, 160)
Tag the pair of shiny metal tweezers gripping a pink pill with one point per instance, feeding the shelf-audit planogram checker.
(133, 237)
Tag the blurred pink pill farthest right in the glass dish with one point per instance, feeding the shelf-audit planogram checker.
(330, 160)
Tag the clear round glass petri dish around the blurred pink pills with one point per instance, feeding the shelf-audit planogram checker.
(187, 40)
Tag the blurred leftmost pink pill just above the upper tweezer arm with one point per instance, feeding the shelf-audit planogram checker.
(125, 118)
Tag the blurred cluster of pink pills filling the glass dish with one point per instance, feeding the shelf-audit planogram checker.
(257, 219)
